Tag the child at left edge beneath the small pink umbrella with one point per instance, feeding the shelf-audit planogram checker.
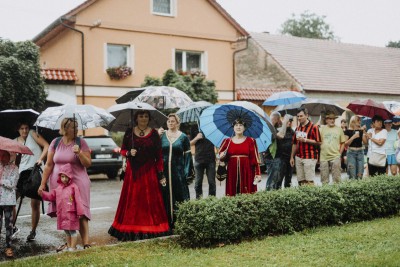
(8, 182)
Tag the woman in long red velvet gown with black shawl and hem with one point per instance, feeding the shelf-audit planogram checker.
(141, 213)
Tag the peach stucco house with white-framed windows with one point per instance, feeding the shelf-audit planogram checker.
(150, 36)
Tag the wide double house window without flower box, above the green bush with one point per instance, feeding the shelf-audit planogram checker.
(188, 61)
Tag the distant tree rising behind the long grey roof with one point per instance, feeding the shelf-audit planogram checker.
(308, 25)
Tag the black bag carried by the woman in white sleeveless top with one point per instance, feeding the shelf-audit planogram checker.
(29, 182)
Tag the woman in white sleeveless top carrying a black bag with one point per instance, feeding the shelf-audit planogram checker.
(39, 147)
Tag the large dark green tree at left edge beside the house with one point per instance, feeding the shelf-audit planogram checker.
(21, 83)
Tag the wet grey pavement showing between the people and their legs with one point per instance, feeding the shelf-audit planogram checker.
(104, 200)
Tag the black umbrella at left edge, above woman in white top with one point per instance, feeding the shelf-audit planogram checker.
(10, 118)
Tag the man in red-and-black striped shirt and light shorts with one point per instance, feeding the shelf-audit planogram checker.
(305, 150)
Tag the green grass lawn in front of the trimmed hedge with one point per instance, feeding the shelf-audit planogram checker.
(373, 243)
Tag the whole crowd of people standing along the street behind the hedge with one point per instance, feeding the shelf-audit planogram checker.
(158, 164)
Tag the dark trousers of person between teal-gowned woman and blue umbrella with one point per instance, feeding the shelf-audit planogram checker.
(209, 169)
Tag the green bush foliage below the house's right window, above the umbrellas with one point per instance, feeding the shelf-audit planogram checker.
(194, 84)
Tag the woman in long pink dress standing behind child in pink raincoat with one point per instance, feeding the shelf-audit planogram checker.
(63, 151)
